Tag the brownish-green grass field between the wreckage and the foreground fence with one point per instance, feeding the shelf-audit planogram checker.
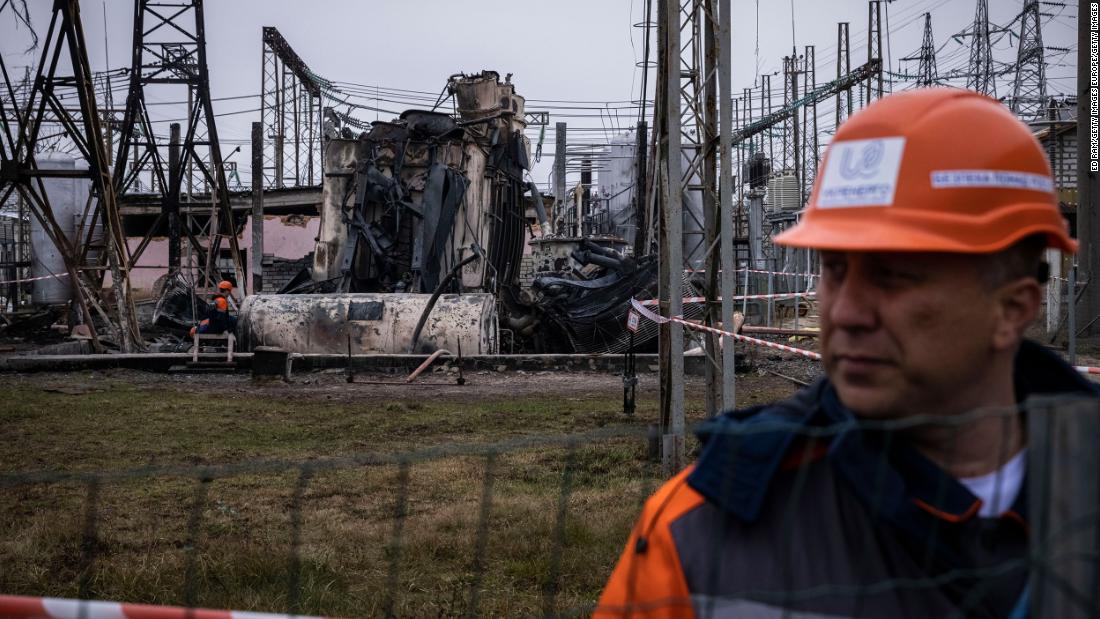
(328, 541)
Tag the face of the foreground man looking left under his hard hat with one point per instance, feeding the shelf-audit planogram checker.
(905, 334)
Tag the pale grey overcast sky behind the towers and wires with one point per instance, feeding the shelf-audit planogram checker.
(560, 51)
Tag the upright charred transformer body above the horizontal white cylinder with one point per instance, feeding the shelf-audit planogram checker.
(410, 201)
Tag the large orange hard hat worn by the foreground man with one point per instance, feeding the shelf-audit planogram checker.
(933, 170)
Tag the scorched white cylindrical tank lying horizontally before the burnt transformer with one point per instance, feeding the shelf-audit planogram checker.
(380, 324)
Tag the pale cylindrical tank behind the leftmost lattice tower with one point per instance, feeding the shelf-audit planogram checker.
(68, 198)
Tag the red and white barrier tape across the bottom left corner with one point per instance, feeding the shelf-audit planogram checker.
(58, 609)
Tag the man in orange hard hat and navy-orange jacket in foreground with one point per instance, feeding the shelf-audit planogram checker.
(896, 485)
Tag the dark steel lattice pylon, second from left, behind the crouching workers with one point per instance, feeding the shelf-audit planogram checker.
(170, 50)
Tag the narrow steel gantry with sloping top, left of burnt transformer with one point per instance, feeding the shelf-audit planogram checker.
(291, 112)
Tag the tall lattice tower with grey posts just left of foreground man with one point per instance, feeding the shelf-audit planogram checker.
(691, 142)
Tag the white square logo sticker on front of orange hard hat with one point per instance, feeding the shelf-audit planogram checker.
(861, 173)
